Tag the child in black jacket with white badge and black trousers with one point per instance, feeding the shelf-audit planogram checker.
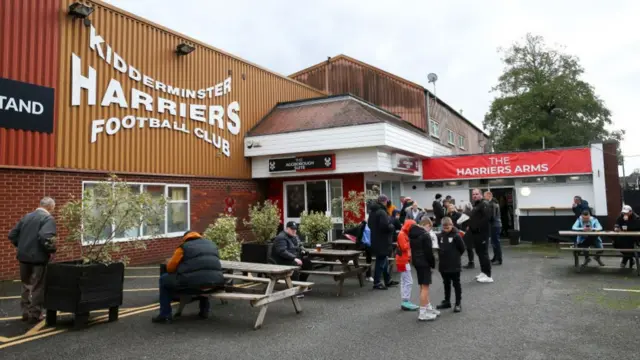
(450, 250)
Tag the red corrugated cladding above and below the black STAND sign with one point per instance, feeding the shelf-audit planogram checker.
(29, 40)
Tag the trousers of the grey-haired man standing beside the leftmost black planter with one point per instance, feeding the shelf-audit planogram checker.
(32, 296)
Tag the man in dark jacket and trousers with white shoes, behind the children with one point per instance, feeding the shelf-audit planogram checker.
(479, 229)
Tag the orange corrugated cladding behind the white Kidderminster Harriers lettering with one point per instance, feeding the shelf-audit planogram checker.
(150, 49)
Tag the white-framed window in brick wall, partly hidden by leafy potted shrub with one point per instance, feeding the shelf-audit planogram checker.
(176, 219)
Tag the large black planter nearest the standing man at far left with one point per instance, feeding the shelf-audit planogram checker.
(81, 288)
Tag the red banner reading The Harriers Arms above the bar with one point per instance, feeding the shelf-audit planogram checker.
(520, 164)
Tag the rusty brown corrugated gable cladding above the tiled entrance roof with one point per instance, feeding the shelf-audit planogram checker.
(347, 75)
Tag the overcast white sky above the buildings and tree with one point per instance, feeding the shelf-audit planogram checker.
(455, 39)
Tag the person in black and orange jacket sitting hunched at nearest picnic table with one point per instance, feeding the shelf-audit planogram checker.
(194, 265)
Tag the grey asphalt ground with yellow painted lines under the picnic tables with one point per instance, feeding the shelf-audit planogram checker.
(538, 308)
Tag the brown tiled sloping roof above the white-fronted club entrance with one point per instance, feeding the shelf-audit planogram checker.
(324, 113)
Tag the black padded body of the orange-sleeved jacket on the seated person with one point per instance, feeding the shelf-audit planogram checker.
(200, 264)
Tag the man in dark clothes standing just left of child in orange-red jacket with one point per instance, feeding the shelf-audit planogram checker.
(382, 231)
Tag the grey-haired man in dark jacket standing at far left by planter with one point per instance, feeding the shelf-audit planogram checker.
(33, 236)
